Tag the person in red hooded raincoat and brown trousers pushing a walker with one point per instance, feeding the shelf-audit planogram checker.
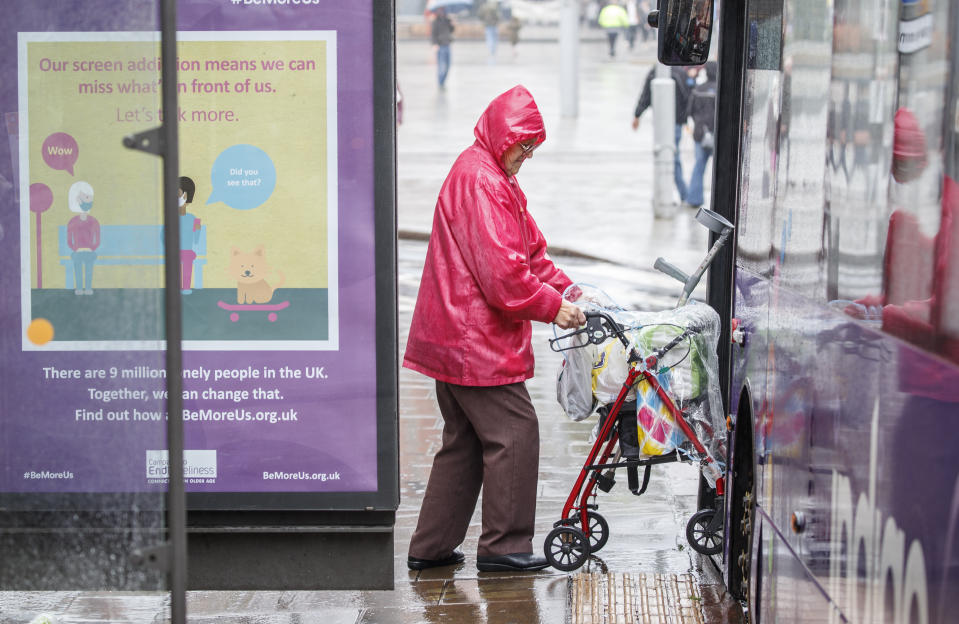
(486, 276)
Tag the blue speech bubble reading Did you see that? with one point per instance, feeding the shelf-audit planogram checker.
(243, 177)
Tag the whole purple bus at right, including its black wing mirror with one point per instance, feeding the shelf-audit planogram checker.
(836, 159)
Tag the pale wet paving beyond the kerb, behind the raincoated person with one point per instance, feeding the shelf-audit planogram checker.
(590, 185)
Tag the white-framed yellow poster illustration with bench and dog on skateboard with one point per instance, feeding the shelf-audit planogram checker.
(259, 201)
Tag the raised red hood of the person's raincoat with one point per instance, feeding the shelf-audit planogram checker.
(510, 118)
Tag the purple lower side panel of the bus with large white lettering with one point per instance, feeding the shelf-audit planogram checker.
(857, 479)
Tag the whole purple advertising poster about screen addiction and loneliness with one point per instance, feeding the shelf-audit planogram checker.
(277, 252)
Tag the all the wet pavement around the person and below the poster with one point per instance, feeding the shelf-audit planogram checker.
(590, 191)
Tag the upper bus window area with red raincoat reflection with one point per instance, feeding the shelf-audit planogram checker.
(893, 255)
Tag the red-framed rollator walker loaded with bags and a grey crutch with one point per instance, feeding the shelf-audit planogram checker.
(581, 530)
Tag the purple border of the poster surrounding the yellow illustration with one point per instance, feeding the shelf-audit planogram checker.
(334, 448)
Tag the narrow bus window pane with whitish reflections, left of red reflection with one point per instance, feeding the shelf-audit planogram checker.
(861, 105)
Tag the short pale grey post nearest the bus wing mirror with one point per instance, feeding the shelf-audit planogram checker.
(664, 142)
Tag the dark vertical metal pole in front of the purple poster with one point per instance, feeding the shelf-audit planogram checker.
(176, 496)
